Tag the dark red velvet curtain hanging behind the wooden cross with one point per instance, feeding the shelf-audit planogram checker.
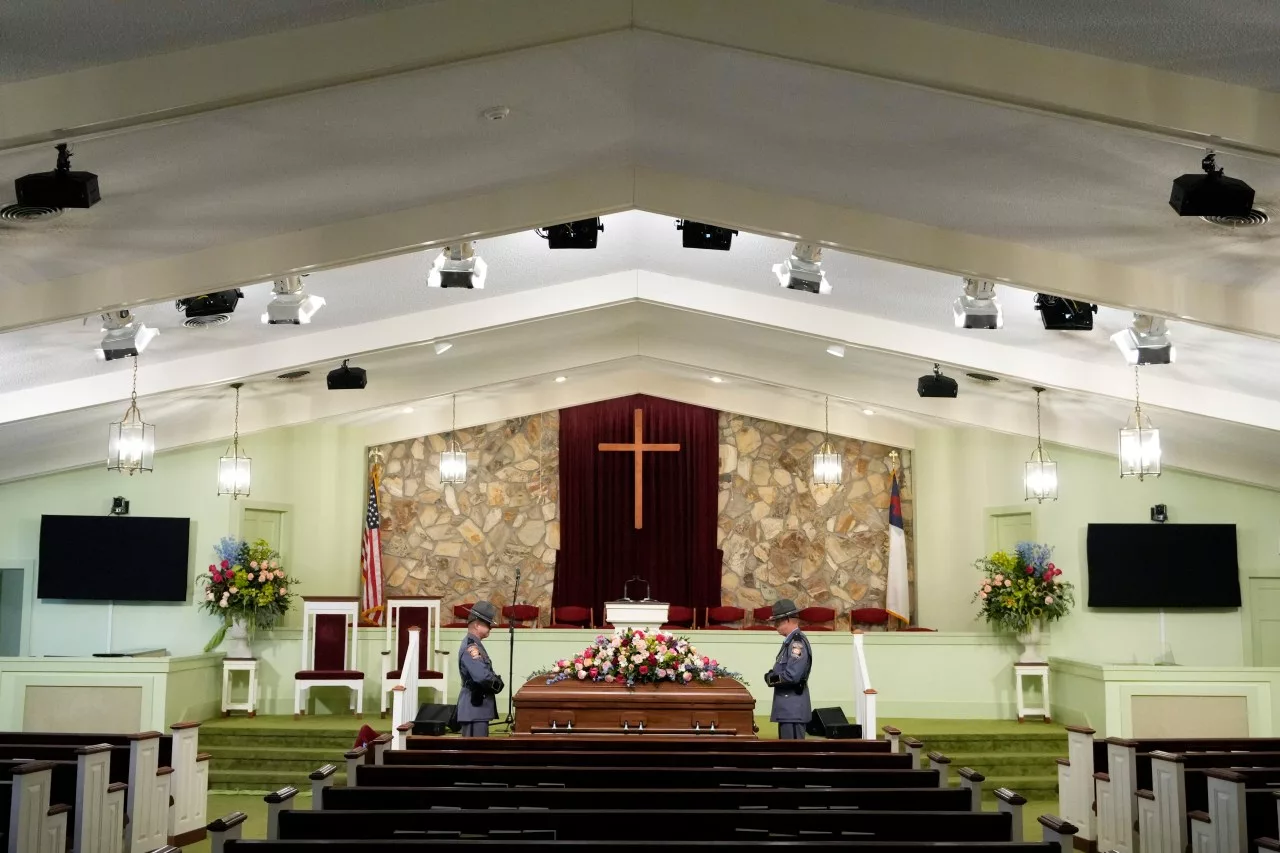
(600, 546)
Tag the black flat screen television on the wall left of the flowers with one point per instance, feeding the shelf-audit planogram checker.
(102, 558)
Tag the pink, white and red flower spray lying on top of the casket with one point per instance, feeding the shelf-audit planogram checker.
(633, 656)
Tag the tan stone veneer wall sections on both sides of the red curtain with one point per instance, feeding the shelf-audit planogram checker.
(783, 537)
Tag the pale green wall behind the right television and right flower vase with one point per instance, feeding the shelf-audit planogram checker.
(961, 473)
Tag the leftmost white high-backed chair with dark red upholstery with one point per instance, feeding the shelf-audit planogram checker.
(330, 651)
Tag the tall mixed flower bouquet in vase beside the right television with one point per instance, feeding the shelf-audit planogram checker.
(1022, 589)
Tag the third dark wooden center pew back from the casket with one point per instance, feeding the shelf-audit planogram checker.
(638, 778)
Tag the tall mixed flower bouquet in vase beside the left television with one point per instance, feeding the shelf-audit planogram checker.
(246, 585)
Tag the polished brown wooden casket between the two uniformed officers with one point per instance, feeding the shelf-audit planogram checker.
(724, 708)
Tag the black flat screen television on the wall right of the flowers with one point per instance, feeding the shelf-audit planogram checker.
(1163, 565)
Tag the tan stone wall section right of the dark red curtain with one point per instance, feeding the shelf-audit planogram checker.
(785, 537)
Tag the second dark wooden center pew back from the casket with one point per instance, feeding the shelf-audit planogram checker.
(625, 759)
